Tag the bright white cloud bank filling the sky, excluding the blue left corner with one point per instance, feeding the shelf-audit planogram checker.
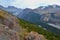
(34, 3)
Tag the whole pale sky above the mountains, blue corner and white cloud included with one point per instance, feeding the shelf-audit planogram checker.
(28, 3)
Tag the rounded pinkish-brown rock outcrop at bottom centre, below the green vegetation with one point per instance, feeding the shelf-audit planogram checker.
(34, 36)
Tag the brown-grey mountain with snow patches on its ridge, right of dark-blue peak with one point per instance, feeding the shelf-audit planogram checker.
(49, 14)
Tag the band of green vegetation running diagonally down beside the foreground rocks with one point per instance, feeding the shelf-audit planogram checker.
(32, 27)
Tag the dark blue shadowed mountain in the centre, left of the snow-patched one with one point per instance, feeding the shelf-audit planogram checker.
(29, 15)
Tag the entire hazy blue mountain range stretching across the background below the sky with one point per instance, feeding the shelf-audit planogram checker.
(49, 14)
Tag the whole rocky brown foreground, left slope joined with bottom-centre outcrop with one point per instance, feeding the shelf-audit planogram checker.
(11, 30)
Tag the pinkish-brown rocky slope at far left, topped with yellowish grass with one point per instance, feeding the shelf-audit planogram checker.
(9, 26)
